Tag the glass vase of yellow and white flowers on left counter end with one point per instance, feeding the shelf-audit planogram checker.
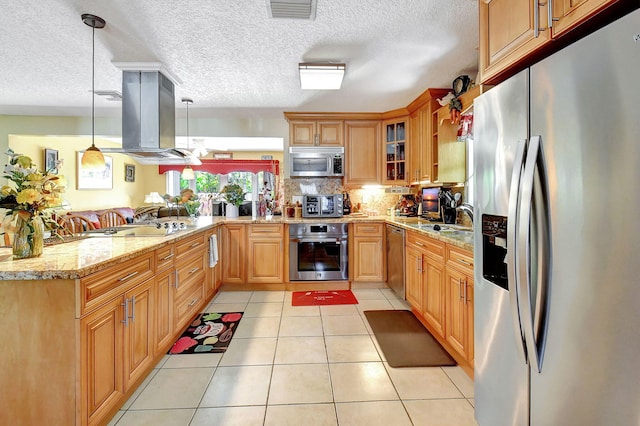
(31, 193)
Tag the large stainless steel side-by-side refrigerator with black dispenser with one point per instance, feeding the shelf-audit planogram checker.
(557, 231)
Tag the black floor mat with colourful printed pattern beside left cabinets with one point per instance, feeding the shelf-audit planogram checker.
(208, 333)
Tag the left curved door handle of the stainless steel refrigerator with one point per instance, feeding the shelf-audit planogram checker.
(512, 222)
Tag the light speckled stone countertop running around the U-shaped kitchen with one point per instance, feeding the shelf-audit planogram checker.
(76, 259)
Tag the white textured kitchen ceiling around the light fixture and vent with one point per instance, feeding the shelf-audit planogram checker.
(231, 58)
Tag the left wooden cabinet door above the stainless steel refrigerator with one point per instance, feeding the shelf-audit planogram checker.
(509, 31)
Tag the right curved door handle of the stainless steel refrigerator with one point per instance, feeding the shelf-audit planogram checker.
(533, 198)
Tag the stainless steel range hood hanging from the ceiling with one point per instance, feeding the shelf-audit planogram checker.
(149, 120)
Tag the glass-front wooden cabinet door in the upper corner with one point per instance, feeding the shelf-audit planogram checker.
(395, 152)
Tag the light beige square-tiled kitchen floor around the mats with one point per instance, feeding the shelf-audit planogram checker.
(299, 365)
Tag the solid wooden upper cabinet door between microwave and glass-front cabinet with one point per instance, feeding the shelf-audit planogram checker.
(362, 152)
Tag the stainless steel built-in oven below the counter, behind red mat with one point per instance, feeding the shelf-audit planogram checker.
(318, 252)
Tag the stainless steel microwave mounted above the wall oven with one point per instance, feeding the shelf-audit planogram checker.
(316, 161)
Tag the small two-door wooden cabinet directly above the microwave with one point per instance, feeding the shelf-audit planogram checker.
(316, 133)
